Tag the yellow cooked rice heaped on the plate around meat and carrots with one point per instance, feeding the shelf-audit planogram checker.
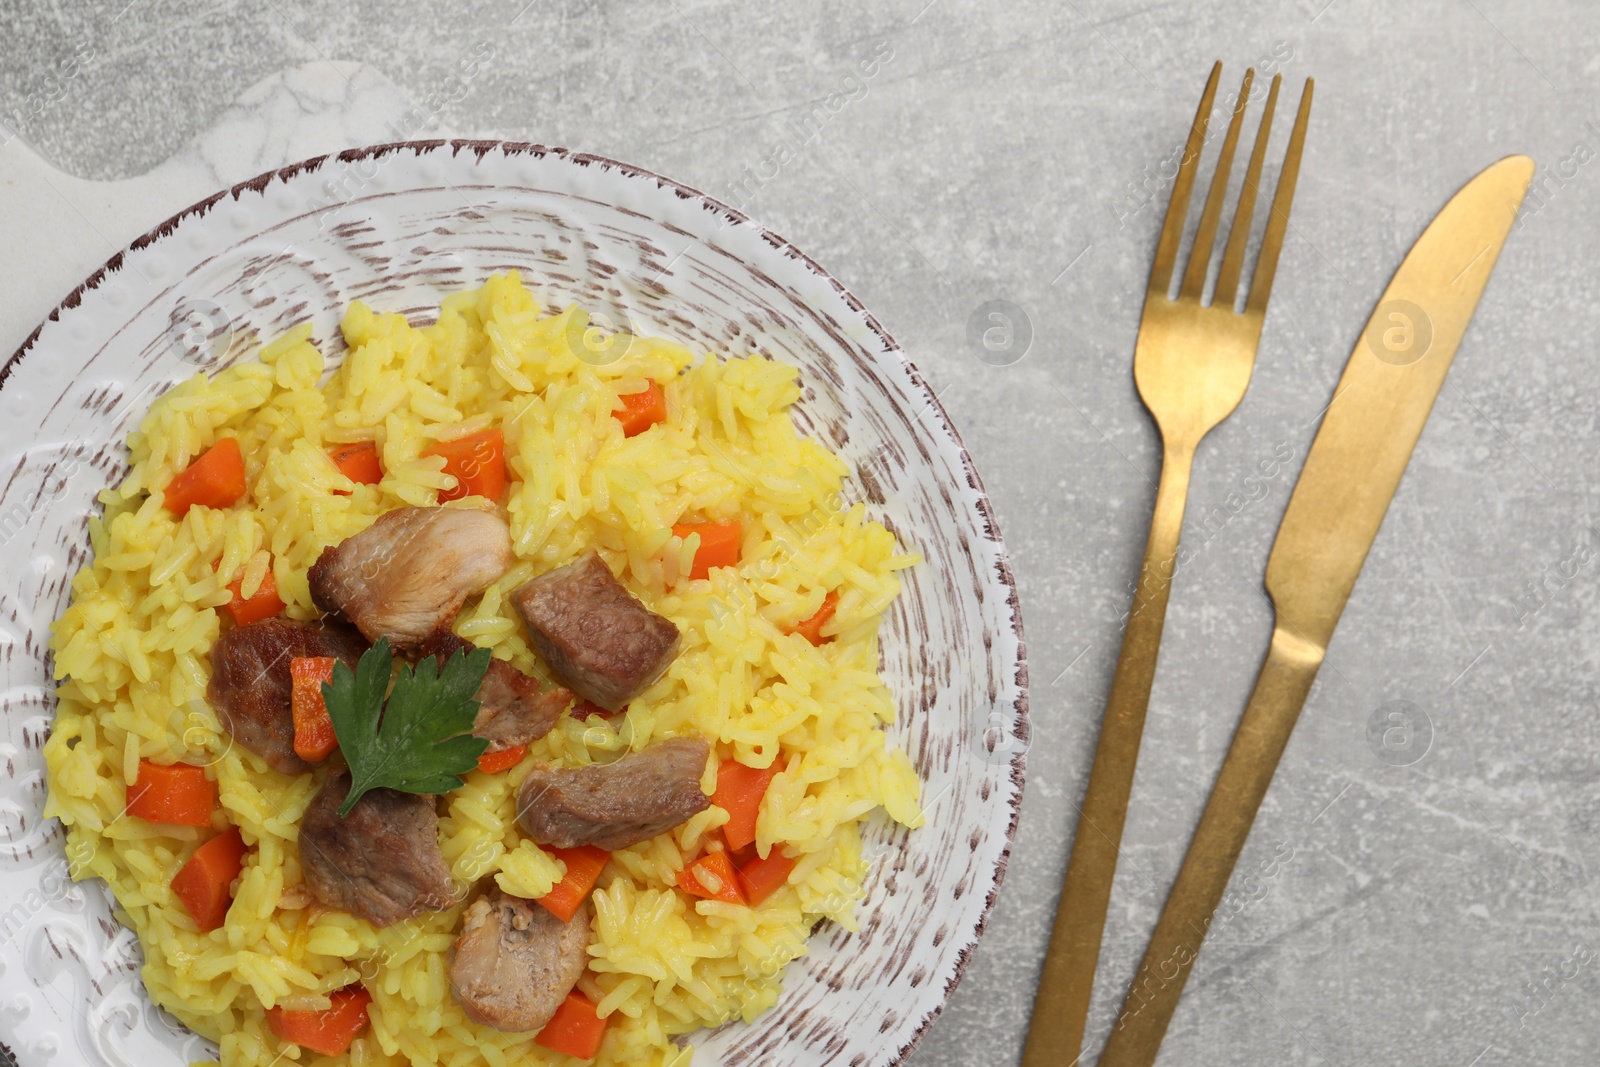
(132, 661)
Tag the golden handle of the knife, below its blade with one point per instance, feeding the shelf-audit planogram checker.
(1265, 730)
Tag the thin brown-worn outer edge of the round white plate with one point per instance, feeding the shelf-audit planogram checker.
(481, 148)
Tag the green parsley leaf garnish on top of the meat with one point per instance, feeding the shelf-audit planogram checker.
(422, 741)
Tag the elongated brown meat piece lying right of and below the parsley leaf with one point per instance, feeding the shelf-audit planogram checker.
(615, 805)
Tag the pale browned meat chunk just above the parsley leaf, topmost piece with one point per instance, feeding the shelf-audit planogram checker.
(409, 573)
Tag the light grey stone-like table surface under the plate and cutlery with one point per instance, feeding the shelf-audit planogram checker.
(1439, 913)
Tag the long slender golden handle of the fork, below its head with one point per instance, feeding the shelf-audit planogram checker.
(1062, 1005)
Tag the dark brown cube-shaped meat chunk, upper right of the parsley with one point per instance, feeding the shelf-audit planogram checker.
(598, 637)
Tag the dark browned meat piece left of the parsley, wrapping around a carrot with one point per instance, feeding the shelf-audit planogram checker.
(252, 689)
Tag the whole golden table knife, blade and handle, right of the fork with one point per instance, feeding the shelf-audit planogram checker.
(1351, 474)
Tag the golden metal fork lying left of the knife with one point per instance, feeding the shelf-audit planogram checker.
(1193, 364)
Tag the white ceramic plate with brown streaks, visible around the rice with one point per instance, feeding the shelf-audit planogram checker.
(399, 226)
